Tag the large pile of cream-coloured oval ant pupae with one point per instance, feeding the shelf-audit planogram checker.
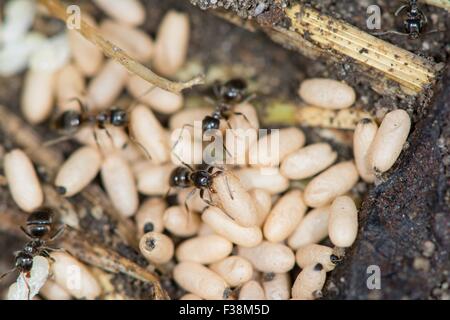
(243, 230)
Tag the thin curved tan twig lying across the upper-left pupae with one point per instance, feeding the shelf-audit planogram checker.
(57, 9)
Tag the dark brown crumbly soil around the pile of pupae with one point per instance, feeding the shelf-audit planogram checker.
(399, 217)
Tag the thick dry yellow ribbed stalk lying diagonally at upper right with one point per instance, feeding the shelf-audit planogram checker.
(410, 71)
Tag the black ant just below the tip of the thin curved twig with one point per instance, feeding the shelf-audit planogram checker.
(227, 94)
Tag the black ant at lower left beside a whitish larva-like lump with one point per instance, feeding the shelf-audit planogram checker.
(38, 226)
